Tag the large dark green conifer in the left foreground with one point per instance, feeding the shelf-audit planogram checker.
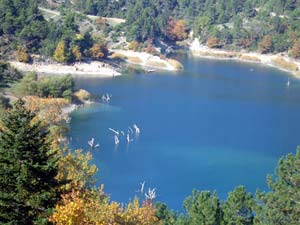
(28, 188)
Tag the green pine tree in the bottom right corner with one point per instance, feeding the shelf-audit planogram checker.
(281, 204)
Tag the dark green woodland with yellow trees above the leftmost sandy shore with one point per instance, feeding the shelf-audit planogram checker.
(24, 29)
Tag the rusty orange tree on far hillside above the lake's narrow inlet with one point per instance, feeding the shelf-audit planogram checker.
(176, 30)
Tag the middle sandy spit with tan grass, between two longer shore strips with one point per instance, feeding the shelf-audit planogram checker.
(147, 60)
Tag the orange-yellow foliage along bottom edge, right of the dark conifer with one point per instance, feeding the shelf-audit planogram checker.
(92, 208)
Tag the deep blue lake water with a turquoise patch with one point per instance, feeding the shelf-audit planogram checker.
(213, 126)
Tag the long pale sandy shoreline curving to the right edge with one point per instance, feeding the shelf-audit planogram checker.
(279, 61)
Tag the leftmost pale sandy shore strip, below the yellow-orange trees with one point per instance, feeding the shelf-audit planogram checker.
(93, 68)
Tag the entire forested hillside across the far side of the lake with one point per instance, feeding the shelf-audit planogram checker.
(266, 26)
